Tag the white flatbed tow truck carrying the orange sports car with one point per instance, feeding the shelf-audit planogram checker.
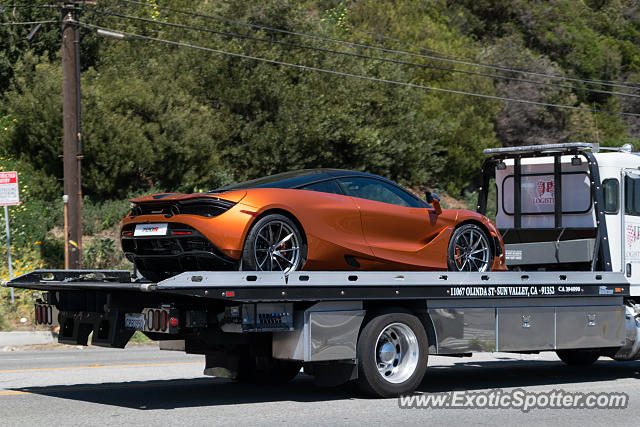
(573, 289)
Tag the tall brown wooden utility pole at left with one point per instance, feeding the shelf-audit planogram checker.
(72, 130)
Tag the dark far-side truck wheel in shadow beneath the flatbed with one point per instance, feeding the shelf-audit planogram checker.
(262, 370)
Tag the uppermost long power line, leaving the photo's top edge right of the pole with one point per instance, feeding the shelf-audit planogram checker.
(383, 49)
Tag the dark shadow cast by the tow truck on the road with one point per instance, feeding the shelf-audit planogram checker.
(170, 394)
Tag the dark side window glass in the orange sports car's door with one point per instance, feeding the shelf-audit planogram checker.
(379, 191)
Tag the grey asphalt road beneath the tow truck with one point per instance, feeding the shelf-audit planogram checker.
(145, 386)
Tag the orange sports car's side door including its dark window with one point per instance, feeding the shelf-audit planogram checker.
(396, 225)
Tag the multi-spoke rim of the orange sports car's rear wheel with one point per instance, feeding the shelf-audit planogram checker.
(277, 247)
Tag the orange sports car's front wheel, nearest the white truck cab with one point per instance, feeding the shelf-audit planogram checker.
(469, 249)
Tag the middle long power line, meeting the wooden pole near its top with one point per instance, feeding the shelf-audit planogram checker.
(356, 55)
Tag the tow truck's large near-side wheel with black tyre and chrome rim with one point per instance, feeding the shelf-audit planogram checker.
(392, 354)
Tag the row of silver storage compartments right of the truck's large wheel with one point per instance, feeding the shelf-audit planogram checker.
(464, 330)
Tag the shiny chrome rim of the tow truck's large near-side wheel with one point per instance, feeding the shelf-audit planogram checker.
(397, 353)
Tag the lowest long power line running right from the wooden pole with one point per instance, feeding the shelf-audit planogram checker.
(358, 76)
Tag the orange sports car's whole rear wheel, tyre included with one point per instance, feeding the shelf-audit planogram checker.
(274, 243)
